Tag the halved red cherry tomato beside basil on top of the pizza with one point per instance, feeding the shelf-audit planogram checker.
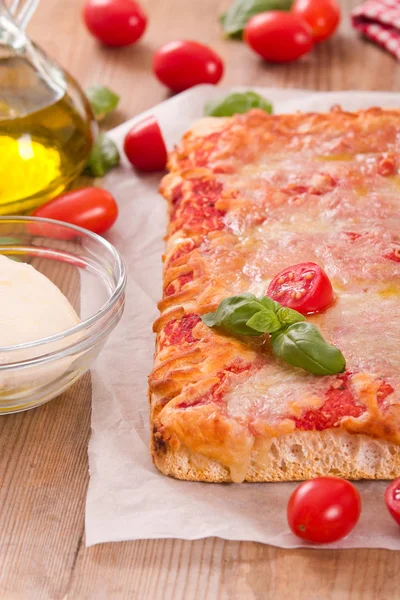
(304, 287)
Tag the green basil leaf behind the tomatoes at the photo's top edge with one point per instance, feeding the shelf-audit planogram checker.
(234, 20)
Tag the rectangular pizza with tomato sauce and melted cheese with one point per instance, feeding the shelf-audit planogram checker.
(251, 196)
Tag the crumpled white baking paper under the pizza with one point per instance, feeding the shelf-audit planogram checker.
(128, 498)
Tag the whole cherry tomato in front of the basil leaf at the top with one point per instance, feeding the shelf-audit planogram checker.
(278, 36)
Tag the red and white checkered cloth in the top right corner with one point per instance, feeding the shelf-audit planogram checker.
(379, 20)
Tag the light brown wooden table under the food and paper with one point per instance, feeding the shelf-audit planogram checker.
(43, 459)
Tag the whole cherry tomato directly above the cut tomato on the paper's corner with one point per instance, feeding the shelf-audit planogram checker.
(182, 64)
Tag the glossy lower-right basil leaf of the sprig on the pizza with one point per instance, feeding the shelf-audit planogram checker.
(302, 345)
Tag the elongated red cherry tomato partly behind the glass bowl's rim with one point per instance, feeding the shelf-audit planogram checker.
(91, 208)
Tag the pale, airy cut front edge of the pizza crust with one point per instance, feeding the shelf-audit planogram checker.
(294, 457)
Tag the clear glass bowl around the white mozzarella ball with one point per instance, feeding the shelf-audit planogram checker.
(91, 274)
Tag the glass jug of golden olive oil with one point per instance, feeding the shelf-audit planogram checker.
(46, 123)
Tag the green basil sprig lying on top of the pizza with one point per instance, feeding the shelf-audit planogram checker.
(294, 340)
